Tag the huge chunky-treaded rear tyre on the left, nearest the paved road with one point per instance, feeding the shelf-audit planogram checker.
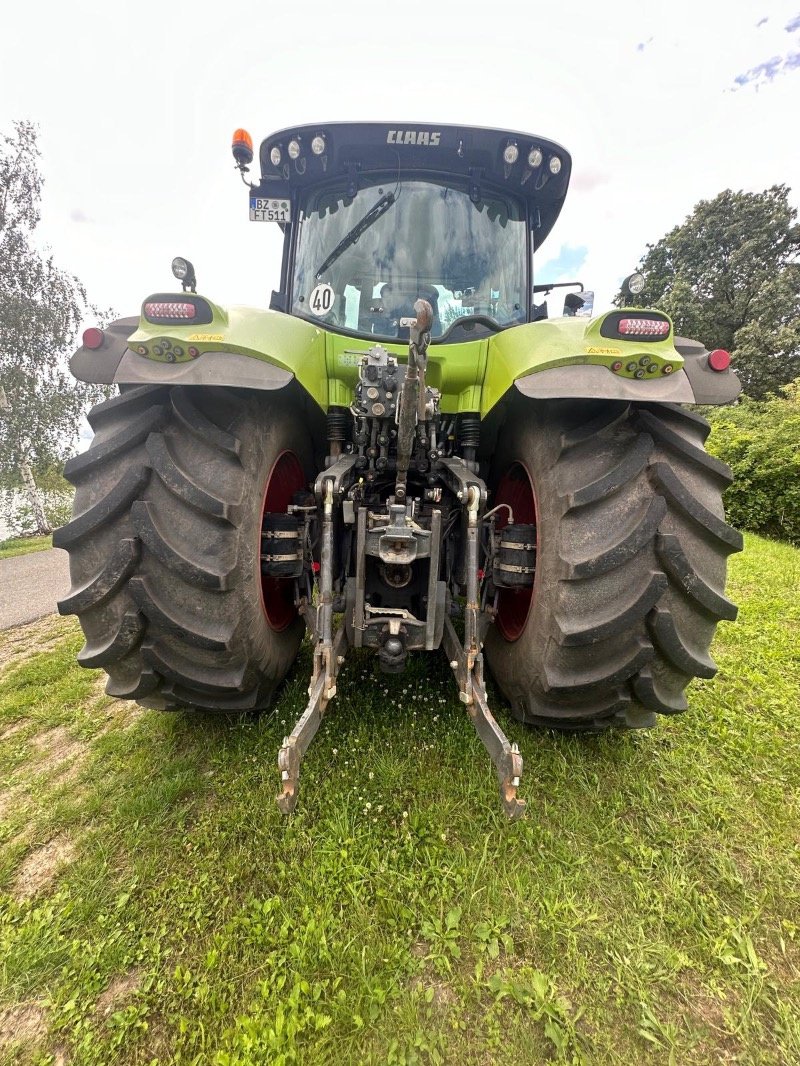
(165, 547)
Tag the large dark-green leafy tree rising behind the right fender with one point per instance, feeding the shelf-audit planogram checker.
(730, 278)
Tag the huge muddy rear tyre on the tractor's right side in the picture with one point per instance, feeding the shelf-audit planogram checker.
(631, 562)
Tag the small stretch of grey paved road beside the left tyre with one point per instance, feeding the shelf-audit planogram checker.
(31, 585)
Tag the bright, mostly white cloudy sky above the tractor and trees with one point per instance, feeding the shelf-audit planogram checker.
(661, 105)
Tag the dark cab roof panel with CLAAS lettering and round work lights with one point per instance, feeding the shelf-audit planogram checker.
(520, 164)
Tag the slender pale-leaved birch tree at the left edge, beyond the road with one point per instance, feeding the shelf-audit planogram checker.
(41, 310)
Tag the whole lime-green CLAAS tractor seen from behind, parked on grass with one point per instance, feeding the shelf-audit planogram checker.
(405, 454)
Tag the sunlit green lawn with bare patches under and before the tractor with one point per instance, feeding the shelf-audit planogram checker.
(156, 908)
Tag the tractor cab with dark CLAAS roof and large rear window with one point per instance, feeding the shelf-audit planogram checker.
(376, 216)
